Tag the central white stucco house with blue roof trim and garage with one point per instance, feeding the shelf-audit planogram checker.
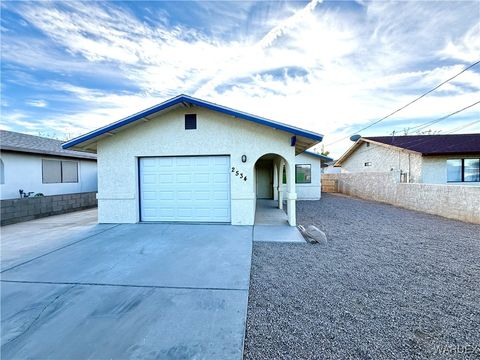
(189, 160)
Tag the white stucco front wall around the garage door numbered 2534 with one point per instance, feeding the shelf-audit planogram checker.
(216, 134)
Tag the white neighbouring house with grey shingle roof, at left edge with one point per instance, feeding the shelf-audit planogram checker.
(36, 164)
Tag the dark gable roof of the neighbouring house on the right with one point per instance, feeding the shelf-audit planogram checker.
(425, 145)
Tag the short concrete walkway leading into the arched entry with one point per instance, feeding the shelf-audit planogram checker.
(271, 224)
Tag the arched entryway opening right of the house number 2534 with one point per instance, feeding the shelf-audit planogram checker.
(274, 184)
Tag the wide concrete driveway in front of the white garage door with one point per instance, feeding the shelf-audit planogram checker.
(141, 291)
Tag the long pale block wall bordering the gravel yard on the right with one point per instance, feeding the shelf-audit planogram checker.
(451, 201)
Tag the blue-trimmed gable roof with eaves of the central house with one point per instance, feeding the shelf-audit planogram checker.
(306, 138)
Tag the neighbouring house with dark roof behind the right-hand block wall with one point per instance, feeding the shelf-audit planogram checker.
(433, 159)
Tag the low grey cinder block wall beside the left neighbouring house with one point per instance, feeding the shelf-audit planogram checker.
(18, 210)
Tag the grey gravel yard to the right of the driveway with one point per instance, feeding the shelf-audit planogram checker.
(391, 284)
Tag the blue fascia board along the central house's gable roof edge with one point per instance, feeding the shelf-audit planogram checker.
(194, 101)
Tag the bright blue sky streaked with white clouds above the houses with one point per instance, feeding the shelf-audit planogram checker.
(331, 67)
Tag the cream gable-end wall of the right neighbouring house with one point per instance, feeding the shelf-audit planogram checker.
(383, 159)
